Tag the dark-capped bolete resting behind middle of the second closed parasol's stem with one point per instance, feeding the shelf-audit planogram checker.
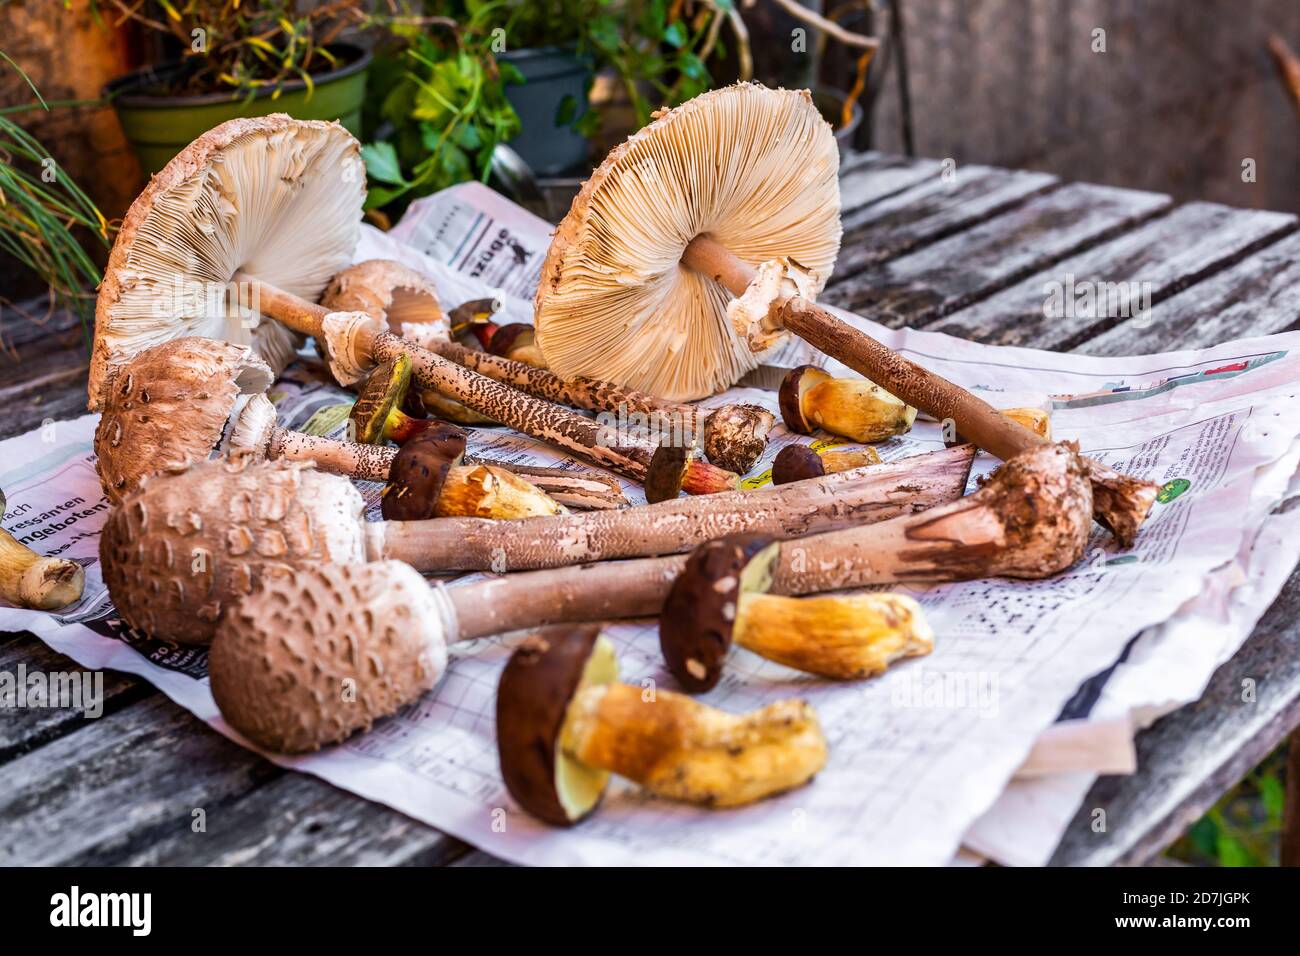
(427, 479)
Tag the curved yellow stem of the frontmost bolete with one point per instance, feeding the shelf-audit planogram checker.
(683, 750)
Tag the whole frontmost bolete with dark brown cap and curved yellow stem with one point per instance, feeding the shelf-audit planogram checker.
(565, 725)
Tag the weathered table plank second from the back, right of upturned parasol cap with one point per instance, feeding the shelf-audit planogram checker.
(931, 211)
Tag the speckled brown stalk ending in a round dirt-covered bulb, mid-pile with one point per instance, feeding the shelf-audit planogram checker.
(734, 436)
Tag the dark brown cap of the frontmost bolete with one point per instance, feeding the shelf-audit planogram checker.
(540, 681)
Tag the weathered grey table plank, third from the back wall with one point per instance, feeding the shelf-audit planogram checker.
(939, 279)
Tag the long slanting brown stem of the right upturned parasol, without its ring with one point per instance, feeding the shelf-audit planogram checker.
(1121, 501)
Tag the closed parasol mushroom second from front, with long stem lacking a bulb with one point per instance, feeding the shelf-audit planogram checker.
(183, 547)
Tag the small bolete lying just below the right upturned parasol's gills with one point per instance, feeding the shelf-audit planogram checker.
(853, 409)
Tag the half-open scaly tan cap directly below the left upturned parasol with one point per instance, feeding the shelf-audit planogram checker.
(167, 408)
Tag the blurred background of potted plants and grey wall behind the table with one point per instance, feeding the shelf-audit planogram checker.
(1201, 101)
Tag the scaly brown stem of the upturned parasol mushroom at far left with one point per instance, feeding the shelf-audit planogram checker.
(544, 421)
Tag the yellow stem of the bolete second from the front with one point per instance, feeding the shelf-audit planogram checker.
(843, 638)
